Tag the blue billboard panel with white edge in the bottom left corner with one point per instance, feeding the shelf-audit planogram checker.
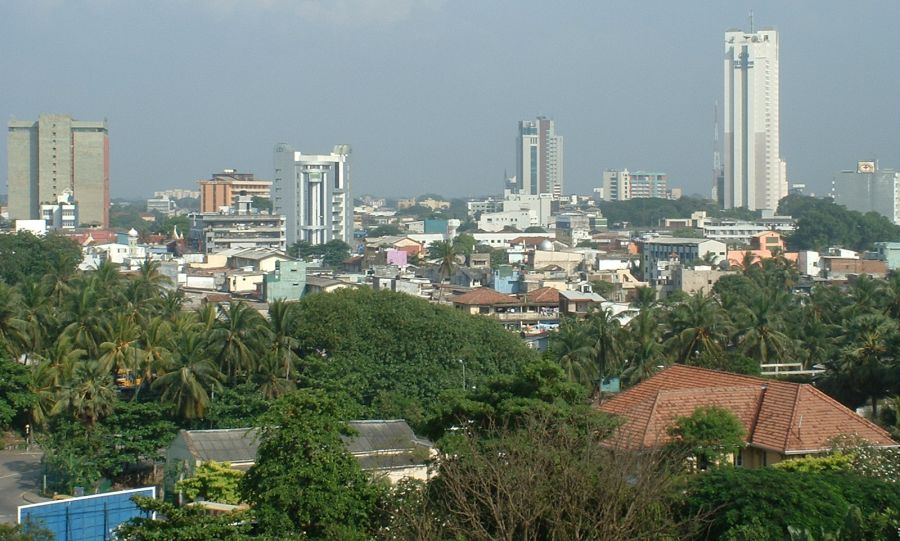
(87, 518)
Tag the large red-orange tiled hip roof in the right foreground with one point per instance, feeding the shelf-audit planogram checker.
(789, 418)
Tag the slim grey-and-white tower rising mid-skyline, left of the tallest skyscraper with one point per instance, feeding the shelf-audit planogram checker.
(539, 158)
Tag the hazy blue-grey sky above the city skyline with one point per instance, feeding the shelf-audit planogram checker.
(428, 92)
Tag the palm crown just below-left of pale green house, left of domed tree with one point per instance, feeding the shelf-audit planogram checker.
(236, 335)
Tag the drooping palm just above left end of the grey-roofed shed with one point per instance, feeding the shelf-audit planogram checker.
(190, 379)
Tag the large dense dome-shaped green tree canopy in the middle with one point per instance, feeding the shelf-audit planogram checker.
(369, 342)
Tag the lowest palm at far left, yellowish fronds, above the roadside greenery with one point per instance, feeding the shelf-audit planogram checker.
(89, 396)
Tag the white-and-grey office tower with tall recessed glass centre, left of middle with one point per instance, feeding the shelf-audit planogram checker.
(313, 193)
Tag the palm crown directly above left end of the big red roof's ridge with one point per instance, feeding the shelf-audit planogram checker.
(698, 329)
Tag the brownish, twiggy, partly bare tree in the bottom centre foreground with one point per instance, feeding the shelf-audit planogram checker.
(540, 480)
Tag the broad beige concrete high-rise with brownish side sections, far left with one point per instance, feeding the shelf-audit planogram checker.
(54, 155)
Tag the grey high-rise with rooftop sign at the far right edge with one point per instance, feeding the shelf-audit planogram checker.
(869, 189)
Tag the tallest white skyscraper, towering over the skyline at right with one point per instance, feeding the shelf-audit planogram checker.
(755, 174)
